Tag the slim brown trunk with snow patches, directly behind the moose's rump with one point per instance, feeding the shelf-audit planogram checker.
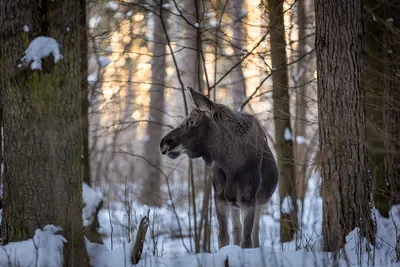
(283, 131)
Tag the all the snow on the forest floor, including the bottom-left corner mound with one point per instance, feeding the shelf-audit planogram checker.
(119, 230)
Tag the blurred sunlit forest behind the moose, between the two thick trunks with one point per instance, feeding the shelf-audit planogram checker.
(143, 55)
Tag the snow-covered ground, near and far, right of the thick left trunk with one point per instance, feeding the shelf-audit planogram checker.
(306, 250)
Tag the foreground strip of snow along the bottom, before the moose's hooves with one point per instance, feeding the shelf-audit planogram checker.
(263, 256)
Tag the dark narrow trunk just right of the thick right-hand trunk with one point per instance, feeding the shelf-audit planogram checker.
(374, 78)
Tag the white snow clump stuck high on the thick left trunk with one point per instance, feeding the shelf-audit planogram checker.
(40, 48)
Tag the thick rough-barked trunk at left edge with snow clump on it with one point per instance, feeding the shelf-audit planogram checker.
(42, 125)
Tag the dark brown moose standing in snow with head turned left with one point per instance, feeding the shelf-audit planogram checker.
(244, 171)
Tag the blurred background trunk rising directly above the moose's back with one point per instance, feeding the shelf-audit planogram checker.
(238, 37)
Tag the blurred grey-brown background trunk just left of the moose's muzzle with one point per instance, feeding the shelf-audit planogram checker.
(151, 184)
